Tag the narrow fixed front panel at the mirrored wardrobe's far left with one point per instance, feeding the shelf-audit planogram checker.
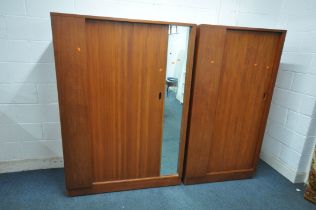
(72, 84)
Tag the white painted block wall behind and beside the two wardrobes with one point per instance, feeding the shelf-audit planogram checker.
(29, 122)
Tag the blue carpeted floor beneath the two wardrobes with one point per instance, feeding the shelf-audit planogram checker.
(44, 189)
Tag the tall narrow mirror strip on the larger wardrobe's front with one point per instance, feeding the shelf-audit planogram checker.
(175, 82)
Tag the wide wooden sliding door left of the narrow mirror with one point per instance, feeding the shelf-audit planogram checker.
(127, 66)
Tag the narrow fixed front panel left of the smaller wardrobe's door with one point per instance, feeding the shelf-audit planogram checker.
(206, 80)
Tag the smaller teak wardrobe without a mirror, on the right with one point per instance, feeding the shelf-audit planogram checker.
(234, 74)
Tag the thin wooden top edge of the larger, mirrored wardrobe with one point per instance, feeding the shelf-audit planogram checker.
(121, 19)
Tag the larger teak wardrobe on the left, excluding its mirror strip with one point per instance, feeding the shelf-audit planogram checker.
(111, 76)
